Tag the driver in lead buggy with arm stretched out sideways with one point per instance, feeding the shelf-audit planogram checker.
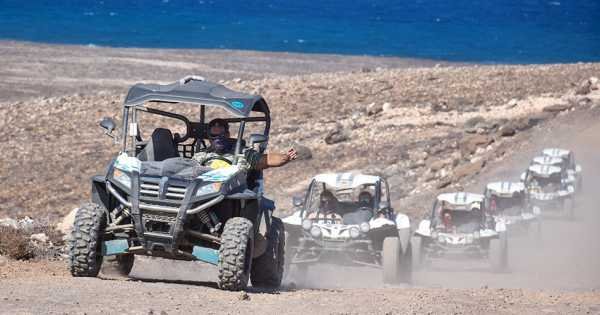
(220, 152)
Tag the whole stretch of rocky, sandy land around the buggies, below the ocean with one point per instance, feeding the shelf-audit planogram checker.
(426, 128)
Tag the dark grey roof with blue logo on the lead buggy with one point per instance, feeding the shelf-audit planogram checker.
(196, 90)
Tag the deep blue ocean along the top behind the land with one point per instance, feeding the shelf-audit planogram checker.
(488, 31)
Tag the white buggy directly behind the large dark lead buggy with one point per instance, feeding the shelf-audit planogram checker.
(355, 233)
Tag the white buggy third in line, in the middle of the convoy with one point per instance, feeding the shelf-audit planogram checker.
(459, 228)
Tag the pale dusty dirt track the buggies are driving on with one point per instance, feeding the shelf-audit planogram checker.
(565, 266)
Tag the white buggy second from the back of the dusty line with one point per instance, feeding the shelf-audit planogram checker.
(549, 189)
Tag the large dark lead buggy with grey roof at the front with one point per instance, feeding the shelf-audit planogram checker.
(155, 200)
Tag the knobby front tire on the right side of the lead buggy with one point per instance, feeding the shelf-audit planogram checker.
(235, 254)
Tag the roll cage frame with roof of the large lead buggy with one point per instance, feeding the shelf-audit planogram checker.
(195, 91)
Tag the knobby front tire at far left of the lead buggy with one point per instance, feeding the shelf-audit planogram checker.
(85, 244)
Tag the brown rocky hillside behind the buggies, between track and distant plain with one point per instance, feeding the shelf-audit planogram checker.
(425, 129)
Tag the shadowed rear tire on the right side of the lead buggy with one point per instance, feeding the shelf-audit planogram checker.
(267, 269)
